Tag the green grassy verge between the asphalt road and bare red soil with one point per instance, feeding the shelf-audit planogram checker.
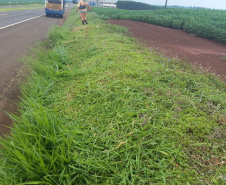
(100, 108)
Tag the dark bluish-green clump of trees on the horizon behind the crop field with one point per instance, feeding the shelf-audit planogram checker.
(131, 5)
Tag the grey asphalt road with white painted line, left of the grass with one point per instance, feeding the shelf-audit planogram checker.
(19, 30)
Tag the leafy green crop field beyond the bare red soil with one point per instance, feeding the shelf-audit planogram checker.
(205, 23)
